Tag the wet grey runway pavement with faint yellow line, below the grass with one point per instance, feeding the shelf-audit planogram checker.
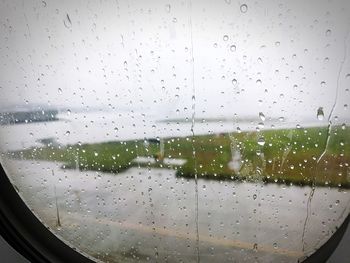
(149, 215)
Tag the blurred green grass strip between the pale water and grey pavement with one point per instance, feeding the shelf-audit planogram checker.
(280, 156)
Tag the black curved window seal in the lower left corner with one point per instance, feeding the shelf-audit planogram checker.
(25, 233)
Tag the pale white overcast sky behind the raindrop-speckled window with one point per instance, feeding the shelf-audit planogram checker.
(281, 58)
